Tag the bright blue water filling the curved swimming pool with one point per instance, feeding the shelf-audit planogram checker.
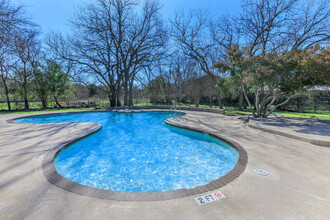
(138, 152)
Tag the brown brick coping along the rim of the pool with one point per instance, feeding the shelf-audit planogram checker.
(56, 179)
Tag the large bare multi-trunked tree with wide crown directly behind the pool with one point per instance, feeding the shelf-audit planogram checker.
(113, 42)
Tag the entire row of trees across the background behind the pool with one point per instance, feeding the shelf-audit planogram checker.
(268, 54)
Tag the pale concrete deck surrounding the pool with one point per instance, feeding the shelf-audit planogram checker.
(297, 187)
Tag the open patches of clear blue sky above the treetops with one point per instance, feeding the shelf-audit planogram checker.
(53, 14)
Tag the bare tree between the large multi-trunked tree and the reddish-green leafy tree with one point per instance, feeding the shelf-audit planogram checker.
(202, 41)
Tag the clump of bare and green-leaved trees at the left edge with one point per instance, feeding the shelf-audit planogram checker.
(24, 66)
